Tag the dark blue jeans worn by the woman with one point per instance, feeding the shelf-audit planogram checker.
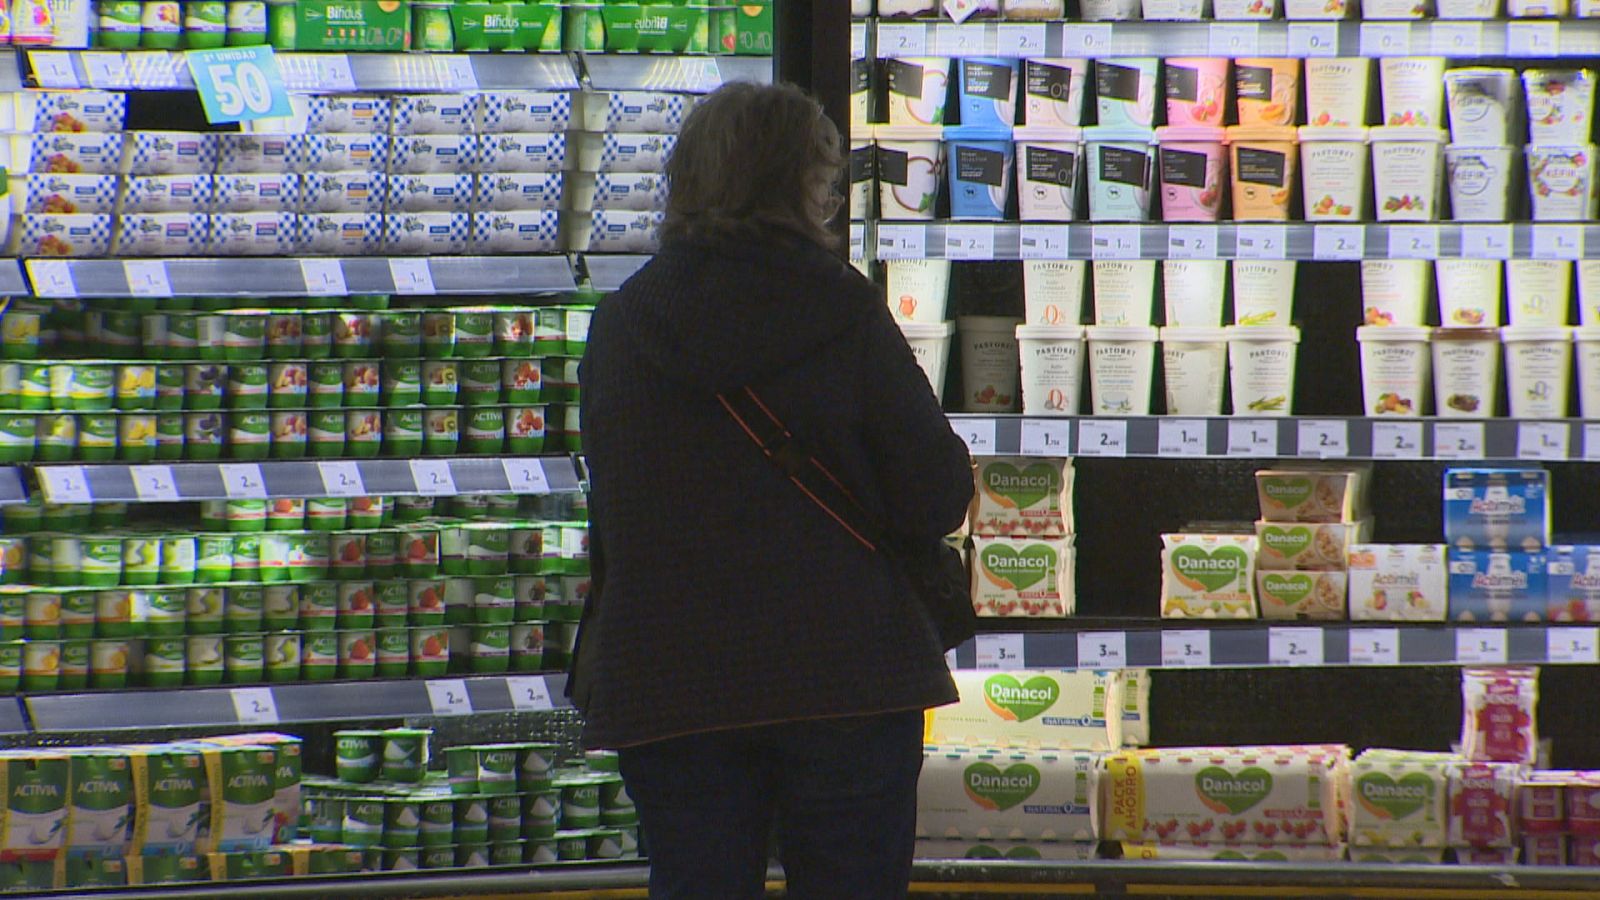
(842, 795)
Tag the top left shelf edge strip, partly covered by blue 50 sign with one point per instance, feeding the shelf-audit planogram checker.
(159, 70)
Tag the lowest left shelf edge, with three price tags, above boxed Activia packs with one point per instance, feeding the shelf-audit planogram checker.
(311, 702)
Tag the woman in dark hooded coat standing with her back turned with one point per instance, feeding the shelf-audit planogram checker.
(751, 661)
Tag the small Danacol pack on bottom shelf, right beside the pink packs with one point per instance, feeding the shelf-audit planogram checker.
(1399, 798)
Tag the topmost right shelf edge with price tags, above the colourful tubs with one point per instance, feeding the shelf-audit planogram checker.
(1457, 39)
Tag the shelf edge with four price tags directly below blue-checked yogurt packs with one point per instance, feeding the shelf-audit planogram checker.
(273, 276)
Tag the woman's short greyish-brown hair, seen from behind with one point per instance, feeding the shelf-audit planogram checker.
(753, 158)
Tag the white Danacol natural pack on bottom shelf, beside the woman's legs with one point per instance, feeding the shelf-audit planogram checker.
(1014, 795)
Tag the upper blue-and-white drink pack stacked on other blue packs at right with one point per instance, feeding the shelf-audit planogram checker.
(1498, 508)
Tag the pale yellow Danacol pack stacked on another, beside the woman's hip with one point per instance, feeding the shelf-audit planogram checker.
(1031, 710)
